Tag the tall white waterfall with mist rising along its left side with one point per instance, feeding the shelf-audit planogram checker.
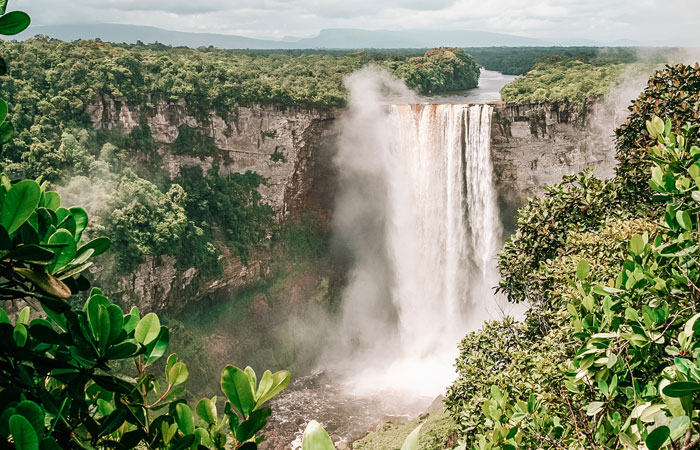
(418, 211)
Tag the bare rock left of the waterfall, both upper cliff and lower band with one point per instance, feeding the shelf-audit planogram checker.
(286, 146)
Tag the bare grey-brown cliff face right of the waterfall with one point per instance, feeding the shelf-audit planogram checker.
(534, 145)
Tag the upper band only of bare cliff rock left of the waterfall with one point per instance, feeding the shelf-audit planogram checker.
(281, 144)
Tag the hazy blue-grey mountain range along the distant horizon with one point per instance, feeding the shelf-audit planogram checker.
(338, 38)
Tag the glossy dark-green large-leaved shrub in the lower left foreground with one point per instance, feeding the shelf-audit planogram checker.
(58, 384)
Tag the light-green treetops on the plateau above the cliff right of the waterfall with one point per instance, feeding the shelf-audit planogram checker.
(573, 81)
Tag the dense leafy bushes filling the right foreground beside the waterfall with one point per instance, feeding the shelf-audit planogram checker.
(607, 356)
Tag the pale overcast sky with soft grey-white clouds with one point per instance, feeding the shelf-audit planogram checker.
(672, 22)
